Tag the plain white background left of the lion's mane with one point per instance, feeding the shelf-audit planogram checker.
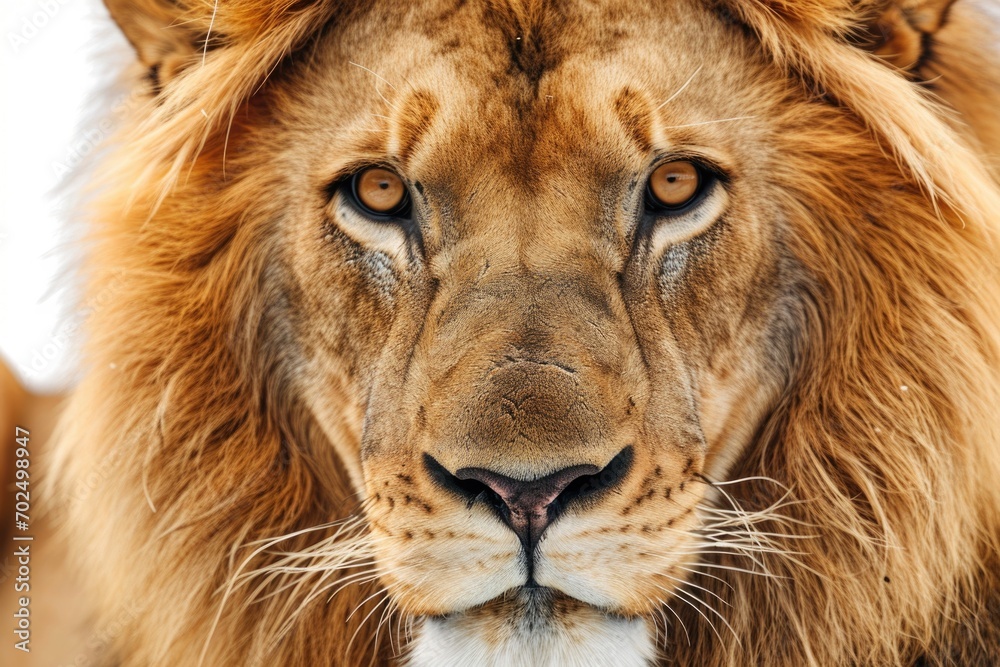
(56, 57)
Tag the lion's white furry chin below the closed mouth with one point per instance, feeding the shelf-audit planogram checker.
(532, 628)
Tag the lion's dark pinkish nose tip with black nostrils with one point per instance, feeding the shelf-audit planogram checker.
(529, 506)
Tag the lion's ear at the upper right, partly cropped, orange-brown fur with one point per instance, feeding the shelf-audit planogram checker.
(901, 34)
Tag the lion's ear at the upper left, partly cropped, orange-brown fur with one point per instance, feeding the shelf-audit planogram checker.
(162, 34)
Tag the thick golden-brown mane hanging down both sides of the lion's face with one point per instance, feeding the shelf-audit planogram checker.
(887, 435)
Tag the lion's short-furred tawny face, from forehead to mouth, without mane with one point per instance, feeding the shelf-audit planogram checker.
(555, 280)
